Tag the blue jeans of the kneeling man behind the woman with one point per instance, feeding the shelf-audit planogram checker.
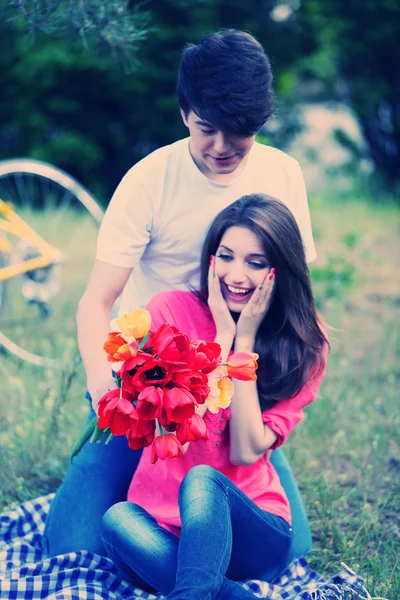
(100, 476)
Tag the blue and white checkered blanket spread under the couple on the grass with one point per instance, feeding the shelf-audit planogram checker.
(26, 573)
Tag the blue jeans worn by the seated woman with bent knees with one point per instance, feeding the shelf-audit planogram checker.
(224, 538)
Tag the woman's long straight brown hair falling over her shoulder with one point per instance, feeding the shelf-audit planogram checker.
(289, 341)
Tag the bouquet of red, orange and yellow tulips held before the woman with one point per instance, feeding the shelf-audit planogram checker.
(162, 377)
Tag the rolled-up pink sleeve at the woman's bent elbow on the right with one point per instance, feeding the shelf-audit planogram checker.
(284, 417)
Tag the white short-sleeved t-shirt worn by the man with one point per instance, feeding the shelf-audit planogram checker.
(159, 214)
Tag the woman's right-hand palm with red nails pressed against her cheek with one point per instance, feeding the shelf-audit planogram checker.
(254, 312)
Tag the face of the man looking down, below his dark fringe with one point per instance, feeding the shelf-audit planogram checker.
(216, 154)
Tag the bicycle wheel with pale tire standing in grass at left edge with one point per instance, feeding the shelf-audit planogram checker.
(37, 308)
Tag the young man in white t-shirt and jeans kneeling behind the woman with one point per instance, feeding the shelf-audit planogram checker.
(150, 240)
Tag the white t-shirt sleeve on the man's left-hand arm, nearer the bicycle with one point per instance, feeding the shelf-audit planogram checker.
(126, 227)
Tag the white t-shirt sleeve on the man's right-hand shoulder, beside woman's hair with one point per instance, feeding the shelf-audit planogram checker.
(301, 211)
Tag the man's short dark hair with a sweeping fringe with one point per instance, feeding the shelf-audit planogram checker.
(227, 81)
